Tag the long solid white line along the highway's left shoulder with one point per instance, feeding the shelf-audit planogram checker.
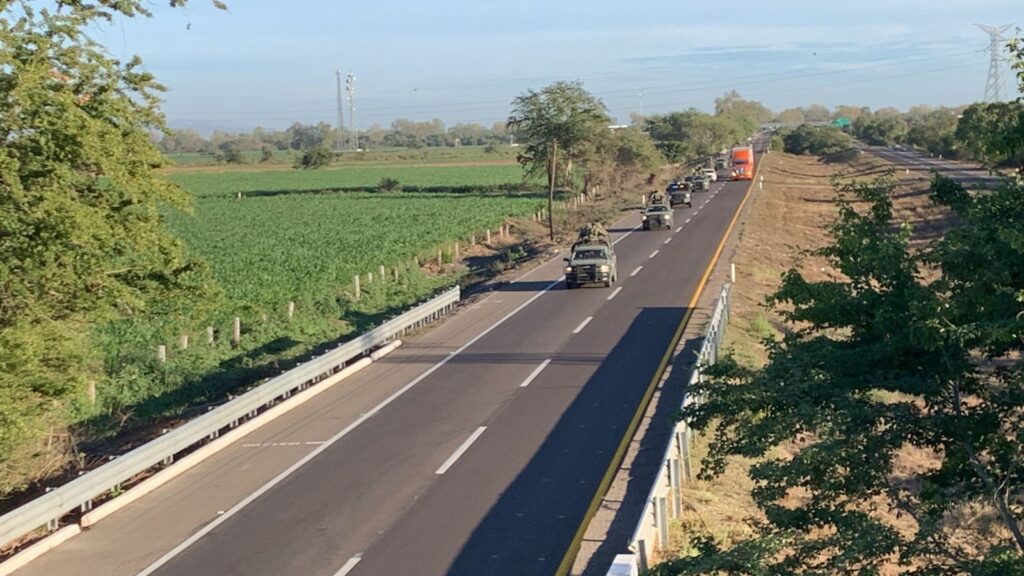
(346, 432)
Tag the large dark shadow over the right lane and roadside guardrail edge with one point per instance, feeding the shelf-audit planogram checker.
(530, 528)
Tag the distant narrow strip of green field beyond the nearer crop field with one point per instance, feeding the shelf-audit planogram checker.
(456, 178)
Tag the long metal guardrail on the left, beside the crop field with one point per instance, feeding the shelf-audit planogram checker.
(51, 508)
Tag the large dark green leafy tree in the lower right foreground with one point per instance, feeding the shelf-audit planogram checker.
(880, 362)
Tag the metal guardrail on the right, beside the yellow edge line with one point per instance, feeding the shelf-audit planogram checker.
(664, 502)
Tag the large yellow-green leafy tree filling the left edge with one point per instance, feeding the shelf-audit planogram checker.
(82, 240)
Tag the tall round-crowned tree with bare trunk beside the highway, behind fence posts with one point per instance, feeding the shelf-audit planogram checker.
(562, 116)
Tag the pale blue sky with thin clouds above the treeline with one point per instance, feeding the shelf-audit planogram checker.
(271, 63)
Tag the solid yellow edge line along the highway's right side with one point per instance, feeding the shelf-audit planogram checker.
(617, 459)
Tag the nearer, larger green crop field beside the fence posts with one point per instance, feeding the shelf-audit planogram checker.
(306, 248)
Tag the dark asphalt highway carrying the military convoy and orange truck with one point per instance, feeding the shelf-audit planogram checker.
(474, 450)
